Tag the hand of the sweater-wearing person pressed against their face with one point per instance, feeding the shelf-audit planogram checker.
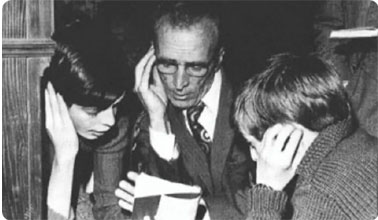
(278, 155)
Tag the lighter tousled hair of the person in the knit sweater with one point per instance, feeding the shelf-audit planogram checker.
(302, 89)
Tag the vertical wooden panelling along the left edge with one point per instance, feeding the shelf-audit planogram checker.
(27, 27)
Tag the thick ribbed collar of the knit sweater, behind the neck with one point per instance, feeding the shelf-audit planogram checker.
(323, 145)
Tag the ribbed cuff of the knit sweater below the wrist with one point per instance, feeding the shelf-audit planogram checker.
(267, 202)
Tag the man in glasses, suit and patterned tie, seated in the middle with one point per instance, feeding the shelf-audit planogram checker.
(174, 140)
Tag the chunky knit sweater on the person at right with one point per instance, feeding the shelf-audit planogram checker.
(337, 179)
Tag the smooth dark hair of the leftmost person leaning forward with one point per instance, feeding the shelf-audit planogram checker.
(88, 68)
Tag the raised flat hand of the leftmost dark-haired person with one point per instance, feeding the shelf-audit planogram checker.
(60, 127)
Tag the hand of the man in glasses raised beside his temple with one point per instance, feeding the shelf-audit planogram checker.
(152, 96)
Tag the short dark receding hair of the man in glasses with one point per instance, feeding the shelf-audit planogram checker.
(183, 15)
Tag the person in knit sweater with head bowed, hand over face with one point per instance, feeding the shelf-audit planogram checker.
(337, 177)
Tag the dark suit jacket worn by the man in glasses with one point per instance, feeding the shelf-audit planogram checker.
(226, 171)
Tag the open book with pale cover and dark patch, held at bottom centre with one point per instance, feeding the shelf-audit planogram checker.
(161, 199)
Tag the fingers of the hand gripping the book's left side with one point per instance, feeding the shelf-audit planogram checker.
(125, 192)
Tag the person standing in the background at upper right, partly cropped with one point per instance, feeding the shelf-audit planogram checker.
(356, 57)
